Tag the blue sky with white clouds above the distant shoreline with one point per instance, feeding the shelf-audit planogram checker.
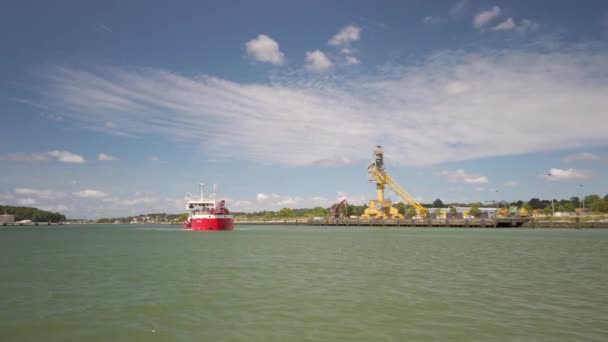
(116, 108)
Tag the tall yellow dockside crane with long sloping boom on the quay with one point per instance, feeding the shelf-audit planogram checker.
(381, 208)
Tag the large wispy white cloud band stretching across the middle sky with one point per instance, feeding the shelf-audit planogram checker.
(416, 115)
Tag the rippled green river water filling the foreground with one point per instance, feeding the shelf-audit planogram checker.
(296, 283)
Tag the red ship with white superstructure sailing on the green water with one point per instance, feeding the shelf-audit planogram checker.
(207, 214)
